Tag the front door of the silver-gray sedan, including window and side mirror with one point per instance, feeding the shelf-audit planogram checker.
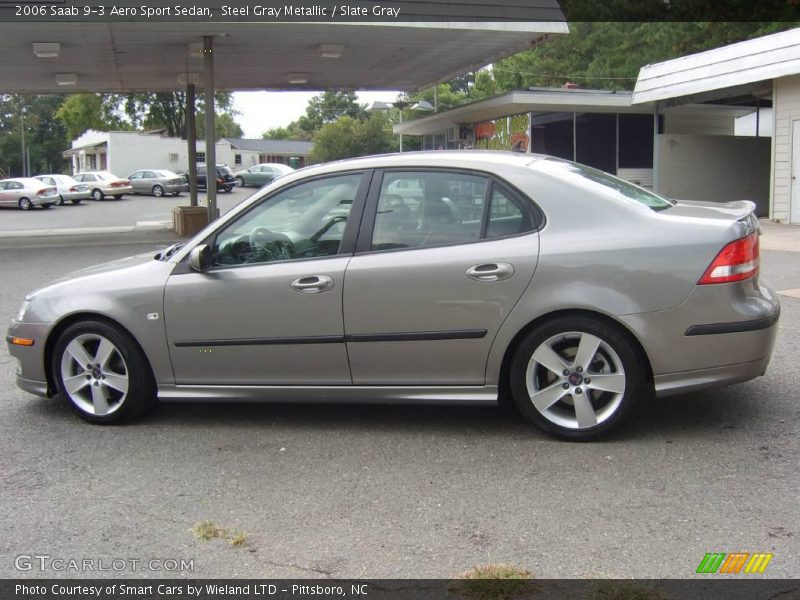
(269, 311)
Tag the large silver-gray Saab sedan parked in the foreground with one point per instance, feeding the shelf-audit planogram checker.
(575, 293)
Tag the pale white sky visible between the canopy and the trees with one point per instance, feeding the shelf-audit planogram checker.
(260, 111)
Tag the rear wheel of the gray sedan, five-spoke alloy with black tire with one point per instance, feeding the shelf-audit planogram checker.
(559, 391)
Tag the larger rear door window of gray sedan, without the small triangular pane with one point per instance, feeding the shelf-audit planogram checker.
(419, 209)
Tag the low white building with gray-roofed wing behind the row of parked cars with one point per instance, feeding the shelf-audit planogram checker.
(123, 152)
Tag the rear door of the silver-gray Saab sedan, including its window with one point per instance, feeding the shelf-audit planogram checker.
(435, 274)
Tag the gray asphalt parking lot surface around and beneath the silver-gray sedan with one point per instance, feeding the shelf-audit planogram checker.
(382, 491)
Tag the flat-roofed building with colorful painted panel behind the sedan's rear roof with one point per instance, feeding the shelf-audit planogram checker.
(680, 151)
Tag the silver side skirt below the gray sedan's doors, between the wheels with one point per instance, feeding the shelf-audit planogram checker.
(472, 395)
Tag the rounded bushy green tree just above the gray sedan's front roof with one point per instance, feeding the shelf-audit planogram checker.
(348, 137)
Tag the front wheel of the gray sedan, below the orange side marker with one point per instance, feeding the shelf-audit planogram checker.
(115, 385)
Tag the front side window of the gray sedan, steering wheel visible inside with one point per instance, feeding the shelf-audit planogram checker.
(304, 221)
